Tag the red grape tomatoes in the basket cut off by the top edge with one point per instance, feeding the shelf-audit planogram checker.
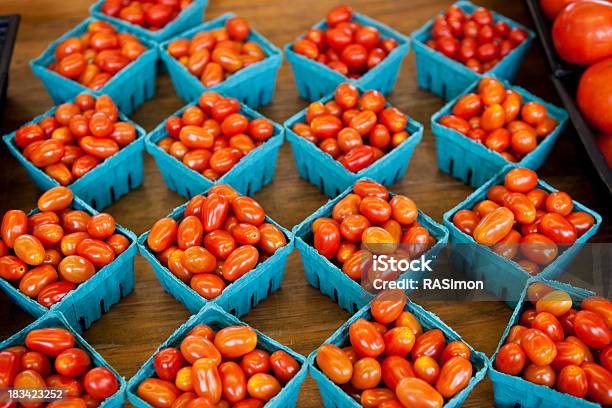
(151, 14)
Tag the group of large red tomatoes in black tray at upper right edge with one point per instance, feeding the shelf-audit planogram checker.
(581, 35)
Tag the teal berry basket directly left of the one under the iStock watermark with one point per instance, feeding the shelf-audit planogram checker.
(239, 296)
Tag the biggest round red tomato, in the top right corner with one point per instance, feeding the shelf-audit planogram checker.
(582, 33)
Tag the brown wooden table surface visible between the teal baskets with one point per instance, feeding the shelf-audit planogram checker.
(298, 315)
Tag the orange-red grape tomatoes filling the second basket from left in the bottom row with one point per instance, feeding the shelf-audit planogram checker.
(219, 369)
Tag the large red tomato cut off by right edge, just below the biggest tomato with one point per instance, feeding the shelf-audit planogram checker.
(594, 94)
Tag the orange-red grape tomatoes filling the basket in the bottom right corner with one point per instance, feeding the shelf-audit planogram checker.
(558, 346)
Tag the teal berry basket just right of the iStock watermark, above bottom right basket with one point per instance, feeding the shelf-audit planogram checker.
(502, 277)
